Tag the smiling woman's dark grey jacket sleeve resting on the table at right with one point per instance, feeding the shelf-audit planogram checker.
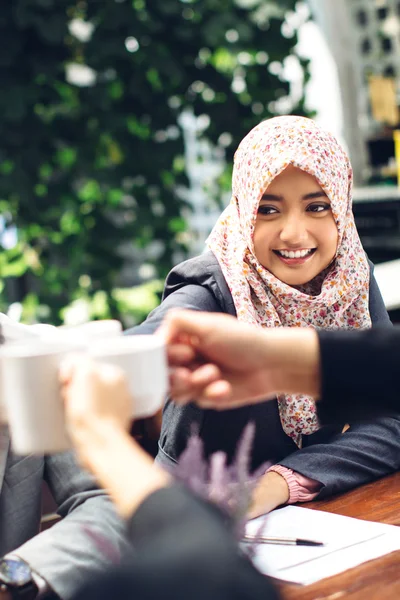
(365, 452)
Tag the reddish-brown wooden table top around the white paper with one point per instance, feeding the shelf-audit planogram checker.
(375, 580)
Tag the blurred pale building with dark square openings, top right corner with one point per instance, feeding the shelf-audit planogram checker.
(364, 38)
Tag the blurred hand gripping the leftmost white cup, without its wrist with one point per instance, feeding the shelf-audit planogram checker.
(96, 399)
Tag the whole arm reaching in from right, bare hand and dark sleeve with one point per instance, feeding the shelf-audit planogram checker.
(224, 364)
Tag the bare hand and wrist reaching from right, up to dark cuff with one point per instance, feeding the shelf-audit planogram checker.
(222, 363)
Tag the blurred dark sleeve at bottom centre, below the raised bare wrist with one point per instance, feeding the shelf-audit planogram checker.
(183, 549)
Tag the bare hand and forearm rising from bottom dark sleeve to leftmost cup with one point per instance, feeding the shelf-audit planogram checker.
(98, 410)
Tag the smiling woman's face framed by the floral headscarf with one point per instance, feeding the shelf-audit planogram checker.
(295, 236)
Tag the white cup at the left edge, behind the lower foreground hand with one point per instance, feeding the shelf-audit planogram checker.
(31, 392)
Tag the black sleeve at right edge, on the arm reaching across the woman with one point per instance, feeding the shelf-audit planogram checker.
(360, 374)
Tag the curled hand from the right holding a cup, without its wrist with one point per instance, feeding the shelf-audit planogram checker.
(216, 360)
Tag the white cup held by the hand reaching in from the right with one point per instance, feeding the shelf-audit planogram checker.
(144, 362)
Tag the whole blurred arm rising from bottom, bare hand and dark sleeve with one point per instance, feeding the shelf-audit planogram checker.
(188, 543)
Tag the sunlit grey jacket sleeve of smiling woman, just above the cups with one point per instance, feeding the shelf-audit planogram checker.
(193, 297)
